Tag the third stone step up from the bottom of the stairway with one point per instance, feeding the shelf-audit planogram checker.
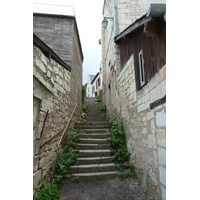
(94, 160)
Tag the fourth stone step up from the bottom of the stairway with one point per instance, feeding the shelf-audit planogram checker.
(94, 153)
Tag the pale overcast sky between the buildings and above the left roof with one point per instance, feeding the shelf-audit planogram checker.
(89, 17)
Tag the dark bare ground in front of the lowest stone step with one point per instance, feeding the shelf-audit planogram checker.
(111, 189)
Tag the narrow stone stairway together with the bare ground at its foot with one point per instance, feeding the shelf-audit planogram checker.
(96, 172)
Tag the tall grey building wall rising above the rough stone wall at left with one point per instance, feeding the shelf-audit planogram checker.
(60, 33)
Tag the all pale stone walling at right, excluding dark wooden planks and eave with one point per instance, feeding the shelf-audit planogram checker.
(145, 127)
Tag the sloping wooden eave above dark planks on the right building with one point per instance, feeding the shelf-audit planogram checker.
(133, 27)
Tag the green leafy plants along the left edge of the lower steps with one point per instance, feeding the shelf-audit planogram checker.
(65, 158)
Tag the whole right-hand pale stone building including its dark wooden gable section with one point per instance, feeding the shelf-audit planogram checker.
(134, 84)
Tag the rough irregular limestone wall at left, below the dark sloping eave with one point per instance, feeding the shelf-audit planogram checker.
(51, 111)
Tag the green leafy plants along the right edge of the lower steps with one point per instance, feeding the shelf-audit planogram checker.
(118, 142)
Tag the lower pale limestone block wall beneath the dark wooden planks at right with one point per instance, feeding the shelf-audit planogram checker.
(145, 127)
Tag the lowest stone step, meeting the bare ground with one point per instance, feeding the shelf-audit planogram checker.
(94, 175)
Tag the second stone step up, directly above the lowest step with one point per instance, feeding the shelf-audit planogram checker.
(92, 168)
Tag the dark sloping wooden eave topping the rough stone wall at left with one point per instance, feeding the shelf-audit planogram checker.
(49, 52)
